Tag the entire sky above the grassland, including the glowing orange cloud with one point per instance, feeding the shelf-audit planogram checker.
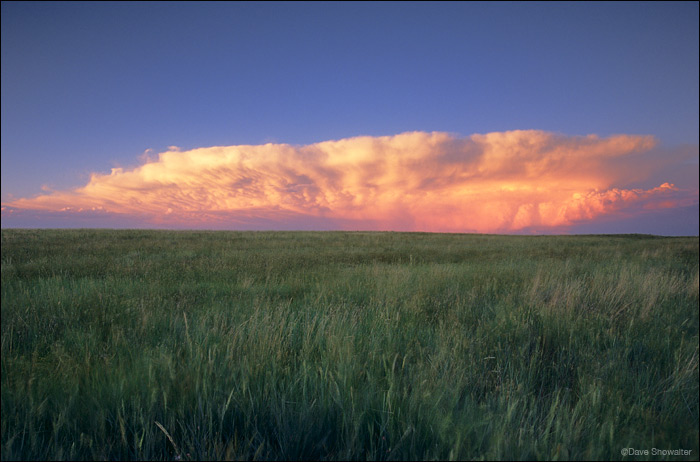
(495, 117)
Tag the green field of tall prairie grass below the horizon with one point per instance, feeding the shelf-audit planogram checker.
(173, 345)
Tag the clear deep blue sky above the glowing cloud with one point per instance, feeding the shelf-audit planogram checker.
(91, 86)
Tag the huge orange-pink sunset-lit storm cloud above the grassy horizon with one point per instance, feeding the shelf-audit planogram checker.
(516, 181)
